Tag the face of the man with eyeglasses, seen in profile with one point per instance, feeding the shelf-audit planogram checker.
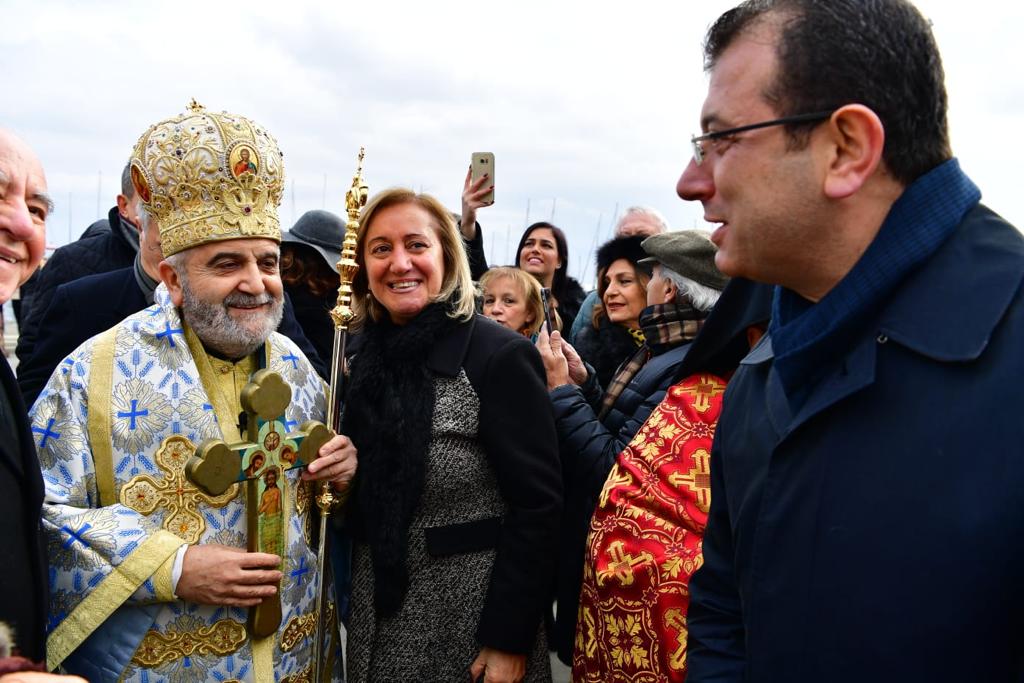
(762, 193)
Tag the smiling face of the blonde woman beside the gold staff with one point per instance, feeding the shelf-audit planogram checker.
(405, 261)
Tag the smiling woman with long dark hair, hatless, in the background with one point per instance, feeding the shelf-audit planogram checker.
(544, 253)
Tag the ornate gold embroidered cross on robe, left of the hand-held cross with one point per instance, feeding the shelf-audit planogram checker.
(175, 492)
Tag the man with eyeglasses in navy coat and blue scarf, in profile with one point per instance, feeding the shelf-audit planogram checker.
(868, 476)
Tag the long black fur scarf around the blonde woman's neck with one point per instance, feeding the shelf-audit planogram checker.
(390, 411)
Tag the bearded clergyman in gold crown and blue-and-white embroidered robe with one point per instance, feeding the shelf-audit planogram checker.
(151, 576)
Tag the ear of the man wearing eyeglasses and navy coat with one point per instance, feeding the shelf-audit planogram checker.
(857, 140)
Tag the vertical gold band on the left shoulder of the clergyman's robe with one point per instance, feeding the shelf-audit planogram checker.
(100, 424)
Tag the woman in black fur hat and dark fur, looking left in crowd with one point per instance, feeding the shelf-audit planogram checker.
(615, 334)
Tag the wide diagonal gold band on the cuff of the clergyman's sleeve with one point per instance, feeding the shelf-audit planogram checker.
(109, 595)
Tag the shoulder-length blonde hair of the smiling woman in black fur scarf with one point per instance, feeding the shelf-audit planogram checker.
(457, 283)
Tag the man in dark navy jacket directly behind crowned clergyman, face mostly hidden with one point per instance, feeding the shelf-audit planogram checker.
(73, 316)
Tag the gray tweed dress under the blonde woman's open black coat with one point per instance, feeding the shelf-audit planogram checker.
(432, 639)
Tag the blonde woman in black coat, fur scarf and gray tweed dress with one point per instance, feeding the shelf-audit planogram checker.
(455, 511)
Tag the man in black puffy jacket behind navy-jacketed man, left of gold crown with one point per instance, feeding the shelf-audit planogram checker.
(108, 250)
